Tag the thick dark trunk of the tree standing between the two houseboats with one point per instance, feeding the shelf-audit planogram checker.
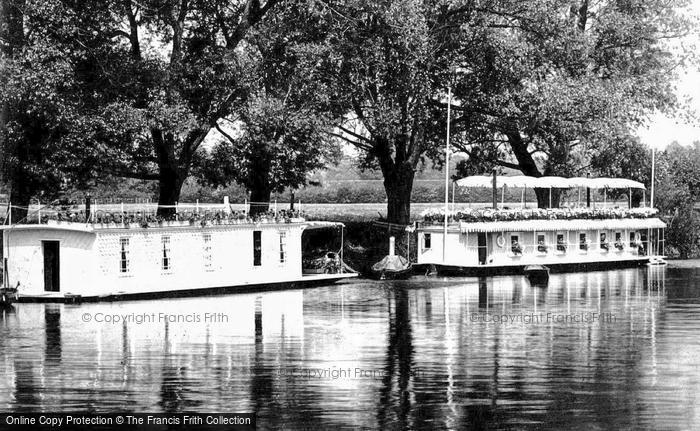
(398, 184)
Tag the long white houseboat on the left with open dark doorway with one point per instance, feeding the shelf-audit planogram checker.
(130, 257)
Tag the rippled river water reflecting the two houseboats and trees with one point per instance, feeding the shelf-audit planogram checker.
(598, 350)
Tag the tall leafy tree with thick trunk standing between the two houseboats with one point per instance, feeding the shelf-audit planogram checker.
(388, 64)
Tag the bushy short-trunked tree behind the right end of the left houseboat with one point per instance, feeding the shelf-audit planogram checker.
(282, 132)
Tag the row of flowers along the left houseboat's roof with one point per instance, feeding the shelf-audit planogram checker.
(145, 220)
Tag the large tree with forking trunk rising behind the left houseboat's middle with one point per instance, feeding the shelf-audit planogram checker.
(177, 68)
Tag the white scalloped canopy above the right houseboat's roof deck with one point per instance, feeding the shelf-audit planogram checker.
(549, 182)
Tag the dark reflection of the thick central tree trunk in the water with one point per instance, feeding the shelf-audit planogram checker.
(395, 406)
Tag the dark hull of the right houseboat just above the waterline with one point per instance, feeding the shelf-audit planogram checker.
(449, 270)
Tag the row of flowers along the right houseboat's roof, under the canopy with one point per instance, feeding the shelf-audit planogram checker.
(485, 215)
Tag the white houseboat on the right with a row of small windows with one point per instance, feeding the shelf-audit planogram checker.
(506, 240)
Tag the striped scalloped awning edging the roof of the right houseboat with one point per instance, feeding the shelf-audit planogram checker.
(561, 225)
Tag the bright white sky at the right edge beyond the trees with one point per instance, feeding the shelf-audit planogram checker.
(663, 130)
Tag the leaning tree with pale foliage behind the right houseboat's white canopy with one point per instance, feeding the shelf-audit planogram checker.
(565, 82)
